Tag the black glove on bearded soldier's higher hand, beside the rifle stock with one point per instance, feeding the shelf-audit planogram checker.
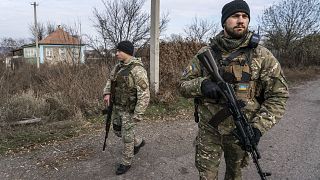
(210, 89)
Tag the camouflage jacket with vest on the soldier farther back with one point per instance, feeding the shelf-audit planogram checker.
(132, 87)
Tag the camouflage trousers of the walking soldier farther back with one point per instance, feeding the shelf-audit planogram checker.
(123, 126)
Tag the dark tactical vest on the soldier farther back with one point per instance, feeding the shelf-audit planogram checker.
(126, 93)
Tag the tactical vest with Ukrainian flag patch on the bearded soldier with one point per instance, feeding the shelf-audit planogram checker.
(234, 68)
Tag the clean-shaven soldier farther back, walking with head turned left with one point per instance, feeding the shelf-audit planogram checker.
(131, 100)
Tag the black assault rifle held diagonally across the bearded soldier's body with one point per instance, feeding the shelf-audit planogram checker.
(244, 130)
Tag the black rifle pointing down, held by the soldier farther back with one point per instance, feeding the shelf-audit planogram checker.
(108, 113)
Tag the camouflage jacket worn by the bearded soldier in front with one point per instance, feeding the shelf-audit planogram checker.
(269, 83)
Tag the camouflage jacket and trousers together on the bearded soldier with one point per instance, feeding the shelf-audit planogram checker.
(269, 82)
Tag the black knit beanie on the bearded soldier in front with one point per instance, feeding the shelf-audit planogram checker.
(234, 7)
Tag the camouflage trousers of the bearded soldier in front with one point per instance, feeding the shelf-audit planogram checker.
(209, 147)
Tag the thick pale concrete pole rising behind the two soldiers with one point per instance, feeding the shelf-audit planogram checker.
(154, 45)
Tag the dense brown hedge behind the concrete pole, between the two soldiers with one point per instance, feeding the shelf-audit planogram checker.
(174, 57)
